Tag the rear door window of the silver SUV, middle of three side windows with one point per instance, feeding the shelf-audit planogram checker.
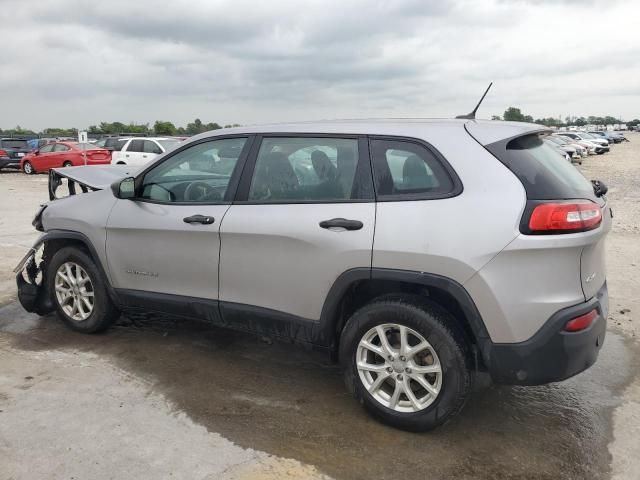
(305, 169)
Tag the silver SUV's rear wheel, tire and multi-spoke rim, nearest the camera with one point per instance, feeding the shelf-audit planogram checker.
(406, 363)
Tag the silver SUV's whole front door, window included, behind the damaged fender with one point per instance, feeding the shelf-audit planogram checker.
(167, 240)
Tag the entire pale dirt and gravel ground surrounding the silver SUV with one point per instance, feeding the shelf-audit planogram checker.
(155, 398)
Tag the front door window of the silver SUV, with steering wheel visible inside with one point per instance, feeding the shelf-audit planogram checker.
(197, 174)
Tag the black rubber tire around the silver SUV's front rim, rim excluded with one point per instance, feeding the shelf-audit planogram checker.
(104, 312)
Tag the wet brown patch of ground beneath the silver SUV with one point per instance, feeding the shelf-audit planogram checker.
(290, 402)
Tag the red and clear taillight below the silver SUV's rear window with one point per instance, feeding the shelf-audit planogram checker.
(565, 217)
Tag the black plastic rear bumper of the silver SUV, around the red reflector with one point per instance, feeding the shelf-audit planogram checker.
(552, 354)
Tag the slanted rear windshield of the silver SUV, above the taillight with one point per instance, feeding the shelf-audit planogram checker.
(545, 174)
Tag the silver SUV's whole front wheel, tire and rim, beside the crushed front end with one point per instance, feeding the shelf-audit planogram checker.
(79, 292)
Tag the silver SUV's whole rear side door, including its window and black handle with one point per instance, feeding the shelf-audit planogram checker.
(304, 214)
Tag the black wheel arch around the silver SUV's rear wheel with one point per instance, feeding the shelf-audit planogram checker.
(363, 292)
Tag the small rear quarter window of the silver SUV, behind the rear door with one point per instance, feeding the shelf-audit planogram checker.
(407, 169)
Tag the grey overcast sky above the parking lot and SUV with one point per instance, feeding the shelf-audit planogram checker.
(73, 63)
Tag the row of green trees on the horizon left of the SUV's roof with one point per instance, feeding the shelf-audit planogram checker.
(160, 127)
